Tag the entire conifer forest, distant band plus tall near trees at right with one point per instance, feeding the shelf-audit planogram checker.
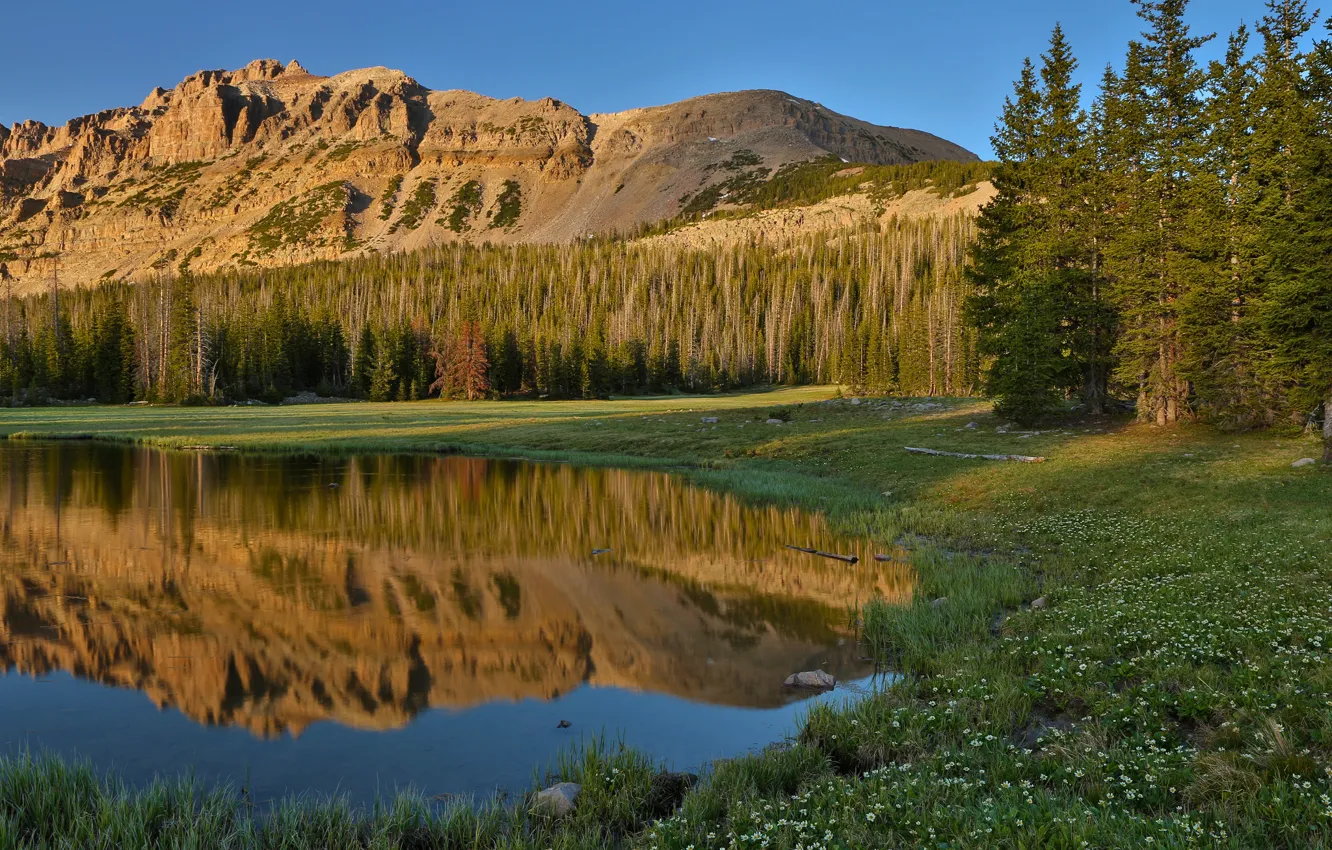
(1161, 243)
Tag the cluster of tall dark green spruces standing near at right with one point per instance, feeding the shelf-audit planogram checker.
(1170, 244)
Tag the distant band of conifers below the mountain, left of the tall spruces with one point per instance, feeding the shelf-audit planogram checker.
(874, 310)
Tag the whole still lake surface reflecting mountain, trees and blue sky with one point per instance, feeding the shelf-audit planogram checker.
(358, 626)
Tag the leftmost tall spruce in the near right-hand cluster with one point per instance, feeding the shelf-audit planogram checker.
(1037, 303)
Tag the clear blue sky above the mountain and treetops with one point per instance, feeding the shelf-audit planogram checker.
(942, 66)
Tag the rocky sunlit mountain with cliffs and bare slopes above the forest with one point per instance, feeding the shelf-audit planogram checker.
(272, 166)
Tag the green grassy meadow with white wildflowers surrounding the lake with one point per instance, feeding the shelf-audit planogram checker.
(1132, 647)
